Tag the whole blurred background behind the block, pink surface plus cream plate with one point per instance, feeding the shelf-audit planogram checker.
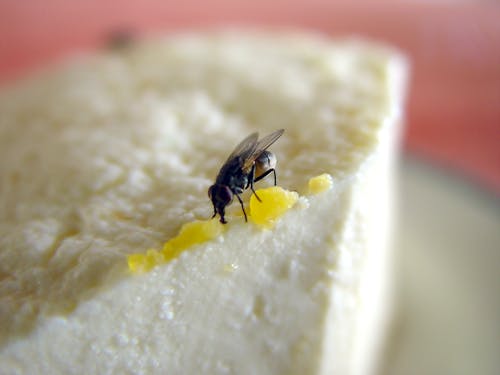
(449, 213)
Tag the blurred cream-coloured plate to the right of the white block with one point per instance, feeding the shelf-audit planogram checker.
(448, 276)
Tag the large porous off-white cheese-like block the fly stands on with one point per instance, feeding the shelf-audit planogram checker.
(112, 154)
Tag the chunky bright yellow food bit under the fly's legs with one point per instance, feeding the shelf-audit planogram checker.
(275, 201)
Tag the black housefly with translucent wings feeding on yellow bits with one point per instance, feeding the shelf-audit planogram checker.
(248, 163)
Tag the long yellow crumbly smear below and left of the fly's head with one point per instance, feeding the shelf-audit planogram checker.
(190, 234)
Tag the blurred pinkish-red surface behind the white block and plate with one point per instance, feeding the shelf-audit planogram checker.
(454, 102)
